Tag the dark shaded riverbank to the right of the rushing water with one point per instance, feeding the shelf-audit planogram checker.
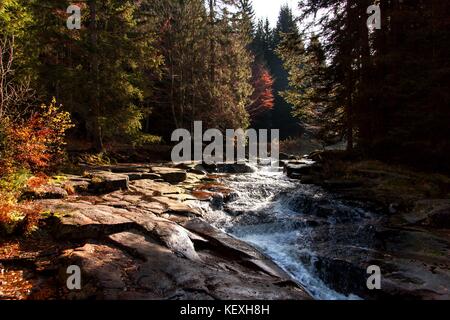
(409, 239)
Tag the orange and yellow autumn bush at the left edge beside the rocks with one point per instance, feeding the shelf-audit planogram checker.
(28, 147)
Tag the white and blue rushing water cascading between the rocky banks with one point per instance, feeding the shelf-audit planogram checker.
(279, 216)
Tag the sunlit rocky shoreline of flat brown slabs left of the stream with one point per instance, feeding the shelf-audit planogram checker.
(134, 234)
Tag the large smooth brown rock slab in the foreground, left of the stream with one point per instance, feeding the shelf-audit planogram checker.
(133, 266)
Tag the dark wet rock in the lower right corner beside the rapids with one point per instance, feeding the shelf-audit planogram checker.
(413, 262)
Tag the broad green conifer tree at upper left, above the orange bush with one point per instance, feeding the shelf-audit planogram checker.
(98, 72)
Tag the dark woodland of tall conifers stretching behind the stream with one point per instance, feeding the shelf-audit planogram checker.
(137, 70)
